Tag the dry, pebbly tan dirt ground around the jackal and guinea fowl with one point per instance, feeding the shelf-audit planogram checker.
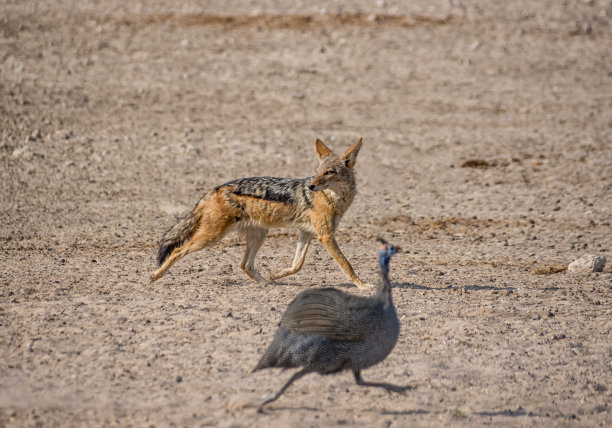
(487, 155)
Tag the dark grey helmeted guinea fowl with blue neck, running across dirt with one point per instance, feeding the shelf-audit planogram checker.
(326, 330)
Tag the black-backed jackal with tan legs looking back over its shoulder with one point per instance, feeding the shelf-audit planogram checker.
(313, 205)
